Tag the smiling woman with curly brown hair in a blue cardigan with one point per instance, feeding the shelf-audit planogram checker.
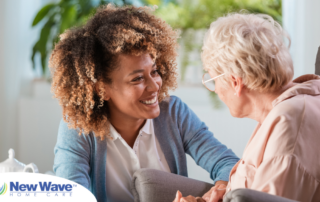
(112, 78)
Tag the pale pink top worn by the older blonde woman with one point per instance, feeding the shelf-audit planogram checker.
(282, 156)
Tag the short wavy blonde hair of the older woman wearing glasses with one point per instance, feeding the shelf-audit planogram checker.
(250, 46)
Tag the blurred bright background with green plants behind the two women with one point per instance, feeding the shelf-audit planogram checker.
(29, 116)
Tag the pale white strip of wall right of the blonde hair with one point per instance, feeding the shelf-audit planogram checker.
(301, 19)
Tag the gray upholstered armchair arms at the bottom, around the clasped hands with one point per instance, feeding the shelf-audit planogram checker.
(151, 185)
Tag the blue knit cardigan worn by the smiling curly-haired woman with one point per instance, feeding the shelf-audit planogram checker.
(82, 159)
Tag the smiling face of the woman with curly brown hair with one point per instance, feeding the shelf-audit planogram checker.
(135, 88)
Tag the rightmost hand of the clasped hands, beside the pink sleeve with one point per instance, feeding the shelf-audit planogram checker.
(216, 193)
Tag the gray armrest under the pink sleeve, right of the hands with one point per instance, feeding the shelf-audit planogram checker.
(249, 195)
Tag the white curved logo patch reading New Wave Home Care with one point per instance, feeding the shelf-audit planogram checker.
(36, 187)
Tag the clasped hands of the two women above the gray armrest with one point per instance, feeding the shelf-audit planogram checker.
(215, 194)
